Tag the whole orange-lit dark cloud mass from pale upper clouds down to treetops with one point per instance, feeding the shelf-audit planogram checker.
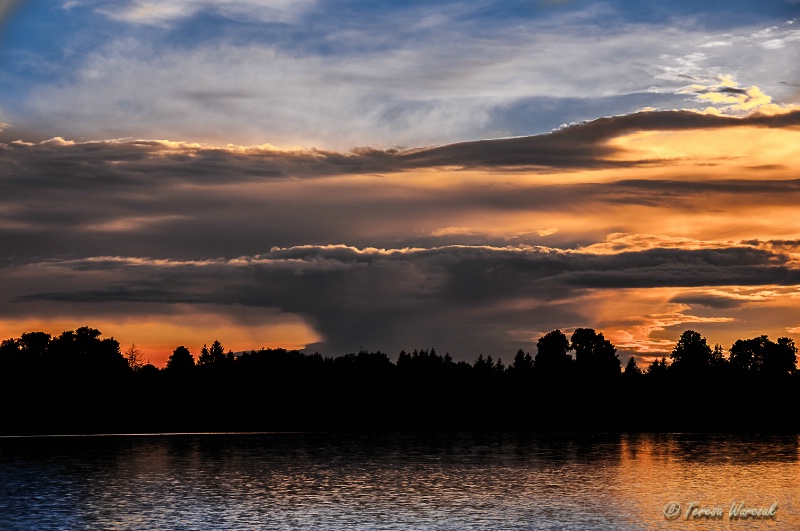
(473, 247)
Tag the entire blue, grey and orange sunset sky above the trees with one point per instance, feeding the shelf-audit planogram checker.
(343, 175)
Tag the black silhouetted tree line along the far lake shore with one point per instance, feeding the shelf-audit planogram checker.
(79, 382)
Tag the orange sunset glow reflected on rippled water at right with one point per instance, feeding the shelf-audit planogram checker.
(681, 472)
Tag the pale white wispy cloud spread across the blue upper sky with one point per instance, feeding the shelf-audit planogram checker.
(421, 75)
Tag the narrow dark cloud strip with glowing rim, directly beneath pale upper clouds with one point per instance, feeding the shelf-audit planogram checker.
(585, 145)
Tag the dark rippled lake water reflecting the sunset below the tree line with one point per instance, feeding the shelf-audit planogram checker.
(399, 481)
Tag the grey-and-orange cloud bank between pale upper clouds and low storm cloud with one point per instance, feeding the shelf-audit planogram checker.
(186, 200)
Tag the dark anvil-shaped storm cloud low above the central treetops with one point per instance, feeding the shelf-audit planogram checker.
(406, 298)
